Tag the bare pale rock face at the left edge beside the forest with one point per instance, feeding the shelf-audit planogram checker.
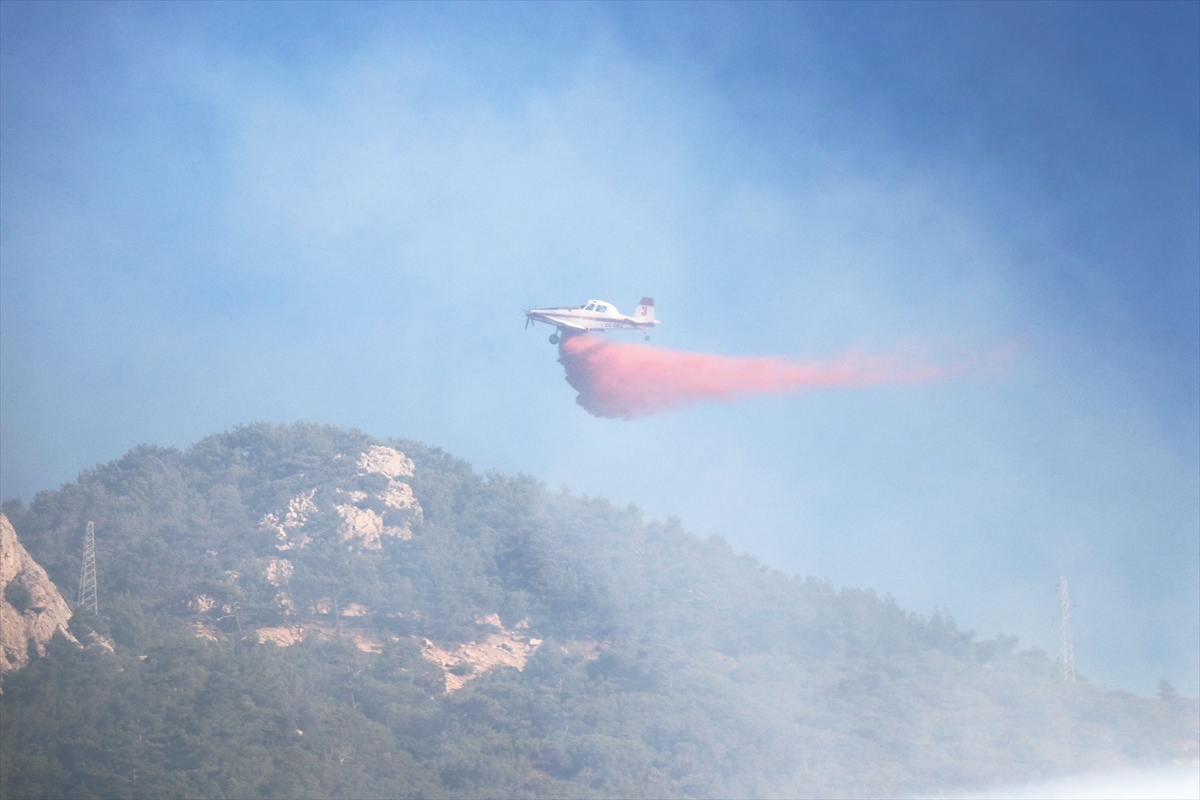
(32, 609)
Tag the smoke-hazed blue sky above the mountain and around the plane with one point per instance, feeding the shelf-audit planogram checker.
(220, 214)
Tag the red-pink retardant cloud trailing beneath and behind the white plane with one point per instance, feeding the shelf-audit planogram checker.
(628, 381)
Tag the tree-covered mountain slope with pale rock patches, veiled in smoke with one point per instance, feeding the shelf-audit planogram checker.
(307, 611)
